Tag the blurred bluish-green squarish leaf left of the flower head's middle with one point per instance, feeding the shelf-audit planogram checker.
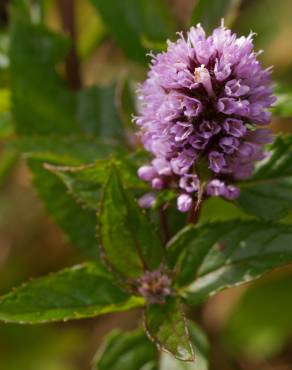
(97, 112)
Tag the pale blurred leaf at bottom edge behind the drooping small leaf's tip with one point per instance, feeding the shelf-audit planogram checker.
(201, 350)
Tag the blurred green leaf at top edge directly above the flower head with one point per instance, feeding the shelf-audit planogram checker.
(210, 12)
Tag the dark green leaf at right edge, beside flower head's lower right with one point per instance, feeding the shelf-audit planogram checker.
(268, 193)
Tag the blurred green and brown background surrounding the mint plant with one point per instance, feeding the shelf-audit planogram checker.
(249, 327)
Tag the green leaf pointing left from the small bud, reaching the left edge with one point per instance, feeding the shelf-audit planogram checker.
(80, 291)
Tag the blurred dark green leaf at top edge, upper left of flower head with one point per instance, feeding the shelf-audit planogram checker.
(129, 20)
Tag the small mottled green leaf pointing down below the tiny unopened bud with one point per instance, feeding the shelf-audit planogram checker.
(167, 327)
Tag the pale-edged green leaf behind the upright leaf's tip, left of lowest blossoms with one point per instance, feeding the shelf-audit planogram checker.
(85, 182)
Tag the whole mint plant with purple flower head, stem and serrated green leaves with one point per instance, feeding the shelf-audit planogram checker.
(203, 107)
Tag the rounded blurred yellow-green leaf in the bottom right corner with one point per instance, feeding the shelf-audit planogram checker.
(261, 321)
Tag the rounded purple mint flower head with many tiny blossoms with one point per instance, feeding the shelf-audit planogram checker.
(204, 101)
